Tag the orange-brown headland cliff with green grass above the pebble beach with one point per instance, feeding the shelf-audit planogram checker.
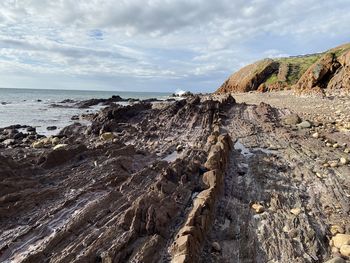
(316, 73)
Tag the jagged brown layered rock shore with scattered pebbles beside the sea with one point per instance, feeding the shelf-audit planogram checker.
(208, 178)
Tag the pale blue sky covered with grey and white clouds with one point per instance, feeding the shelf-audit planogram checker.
(157, 45)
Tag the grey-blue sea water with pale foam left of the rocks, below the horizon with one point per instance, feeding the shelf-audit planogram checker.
(21, 106)
